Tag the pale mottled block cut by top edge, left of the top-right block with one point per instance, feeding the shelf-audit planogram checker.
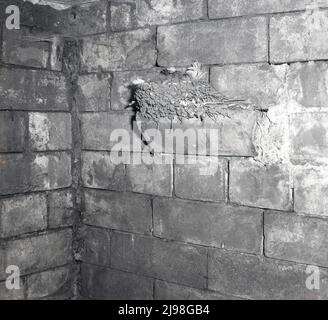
(140, 13)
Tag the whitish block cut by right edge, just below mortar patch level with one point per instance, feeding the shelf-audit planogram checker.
(311, 190)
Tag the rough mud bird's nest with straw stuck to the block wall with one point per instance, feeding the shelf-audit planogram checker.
(184, 96)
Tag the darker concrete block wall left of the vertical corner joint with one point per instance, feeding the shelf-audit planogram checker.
(37, 192)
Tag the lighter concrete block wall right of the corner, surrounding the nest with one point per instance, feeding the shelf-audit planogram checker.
(251, 230)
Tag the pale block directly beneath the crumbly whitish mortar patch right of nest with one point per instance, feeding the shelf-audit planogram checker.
(254, 184)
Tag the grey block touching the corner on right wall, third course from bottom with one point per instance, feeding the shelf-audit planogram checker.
(125, 212)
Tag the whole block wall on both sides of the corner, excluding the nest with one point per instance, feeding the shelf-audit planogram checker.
(163, 231)
